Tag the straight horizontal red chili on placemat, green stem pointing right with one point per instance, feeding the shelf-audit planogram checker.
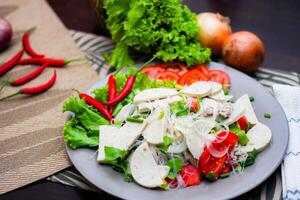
(50, 61)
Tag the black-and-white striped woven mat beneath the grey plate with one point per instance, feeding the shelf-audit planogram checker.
(94, 46)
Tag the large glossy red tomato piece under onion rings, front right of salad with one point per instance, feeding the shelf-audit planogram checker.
(211, 166)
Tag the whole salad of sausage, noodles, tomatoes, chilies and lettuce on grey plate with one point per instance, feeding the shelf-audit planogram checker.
(168, 133)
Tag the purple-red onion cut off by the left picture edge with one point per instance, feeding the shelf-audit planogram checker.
(5, 33)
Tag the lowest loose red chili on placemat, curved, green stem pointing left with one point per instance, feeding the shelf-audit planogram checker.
(35, 90)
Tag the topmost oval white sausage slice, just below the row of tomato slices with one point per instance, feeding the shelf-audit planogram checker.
(197, 89)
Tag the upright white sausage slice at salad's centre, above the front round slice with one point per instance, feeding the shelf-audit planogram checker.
(157, 126)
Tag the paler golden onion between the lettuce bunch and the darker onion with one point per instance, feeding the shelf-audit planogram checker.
(214, 30)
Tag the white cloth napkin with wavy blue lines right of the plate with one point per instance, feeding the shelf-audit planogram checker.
(289, 98)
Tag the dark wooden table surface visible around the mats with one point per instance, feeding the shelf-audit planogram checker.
(275, 21)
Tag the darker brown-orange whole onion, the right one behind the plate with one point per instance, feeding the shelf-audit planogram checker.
(244, 51)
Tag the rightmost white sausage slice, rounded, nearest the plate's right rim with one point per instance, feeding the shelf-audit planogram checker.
(259, 137)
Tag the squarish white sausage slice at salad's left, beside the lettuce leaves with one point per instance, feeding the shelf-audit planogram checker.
(120, 138)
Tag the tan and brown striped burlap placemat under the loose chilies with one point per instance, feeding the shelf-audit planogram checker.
(31, 139)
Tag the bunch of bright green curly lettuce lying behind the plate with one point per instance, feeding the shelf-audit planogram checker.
(164, 29)
